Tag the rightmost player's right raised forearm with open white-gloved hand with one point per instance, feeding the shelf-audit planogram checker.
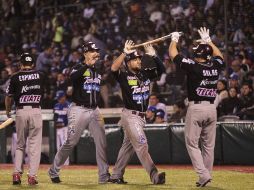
(205, 38)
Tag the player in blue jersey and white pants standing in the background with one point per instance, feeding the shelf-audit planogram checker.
(61, 120)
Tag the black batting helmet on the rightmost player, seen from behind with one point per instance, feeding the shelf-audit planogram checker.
(203, 51)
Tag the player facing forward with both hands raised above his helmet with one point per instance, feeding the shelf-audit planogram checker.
(135, 86)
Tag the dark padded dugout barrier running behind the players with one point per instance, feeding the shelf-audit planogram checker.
(234, 143)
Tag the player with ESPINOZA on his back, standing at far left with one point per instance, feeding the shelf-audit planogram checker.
(26, 89)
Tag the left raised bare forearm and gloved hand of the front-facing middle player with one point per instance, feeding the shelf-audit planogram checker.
(119, 60)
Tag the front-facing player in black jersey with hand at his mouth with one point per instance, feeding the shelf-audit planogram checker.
(84, 114)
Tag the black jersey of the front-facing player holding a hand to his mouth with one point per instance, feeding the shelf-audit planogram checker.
(86, 85)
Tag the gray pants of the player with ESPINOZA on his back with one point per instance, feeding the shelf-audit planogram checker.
(28, 126)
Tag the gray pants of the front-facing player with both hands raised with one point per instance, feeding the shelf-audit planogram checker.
(134, 141)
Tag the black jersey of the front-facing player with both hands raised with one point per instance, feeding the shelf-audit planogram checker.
(136, 87)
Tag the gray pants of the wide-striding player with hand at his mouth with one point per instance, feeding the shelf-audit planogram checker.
(79, 119)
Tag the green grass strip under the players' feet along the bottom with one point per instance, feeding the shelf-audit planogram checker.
(137, 180)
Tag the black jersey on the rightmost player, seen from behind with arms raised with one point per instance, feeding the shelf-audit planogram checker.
(201, 77)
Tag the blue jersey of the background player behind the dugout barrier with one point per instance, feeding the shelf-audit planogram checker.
(60, 113)
